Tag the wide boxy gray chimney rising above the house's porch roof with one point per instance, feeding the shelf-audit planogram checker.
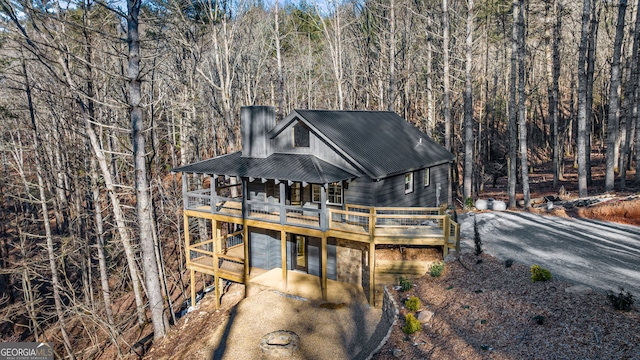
(255, 124)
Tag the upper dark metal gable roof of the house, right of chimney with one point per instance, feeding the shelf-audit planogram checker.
(381, 142)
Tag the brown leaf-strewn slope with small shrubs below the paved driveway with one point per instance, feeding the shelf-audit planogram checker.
(488, 312)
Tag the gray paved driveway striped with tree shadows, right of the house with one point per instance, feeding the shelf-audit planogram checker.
(599, 254)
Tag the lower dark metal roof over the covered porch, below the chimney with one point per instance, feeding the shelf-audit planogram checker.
(294, 167)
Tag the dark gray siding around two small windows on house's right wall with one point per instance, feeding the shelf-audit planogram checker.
(390, 191)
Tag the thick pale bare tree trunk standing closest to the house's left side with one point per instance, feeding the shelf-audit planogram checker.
(143, 206)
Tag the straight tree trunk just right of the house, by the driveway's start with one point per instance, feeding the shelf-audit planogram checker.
(468, 106)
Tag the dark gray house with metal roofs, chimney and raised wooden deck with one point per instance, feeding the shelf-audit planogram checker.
(315, 194)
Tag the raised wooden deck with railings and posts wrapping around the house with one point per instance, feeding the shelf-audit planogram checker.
(224, 256)
